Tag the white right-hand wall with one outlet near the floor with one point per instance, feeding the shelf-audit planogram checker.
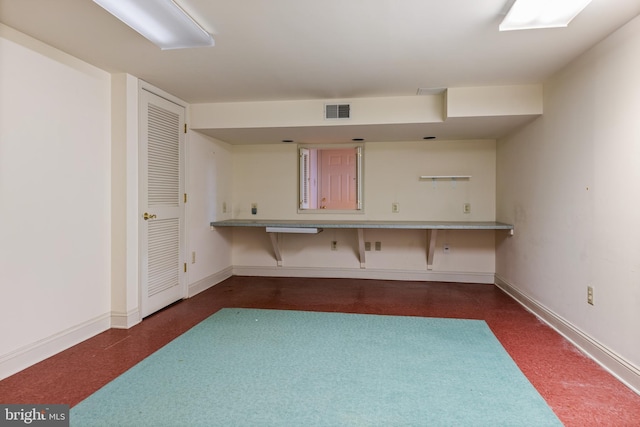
(568, 183)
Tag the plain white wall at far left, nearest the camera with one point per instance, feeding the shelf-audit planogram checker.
(55, 200)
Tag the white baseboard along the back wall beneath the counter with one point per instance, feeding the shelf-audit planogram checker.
(351, 273)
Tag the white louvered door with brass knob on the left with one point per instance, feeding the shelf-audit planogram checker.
(162, 141)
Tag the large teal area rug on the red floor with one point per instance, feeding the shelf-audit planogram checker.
(247, 367)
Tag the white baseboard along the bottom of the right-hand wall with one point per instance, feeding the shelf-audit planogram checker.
(622, 369)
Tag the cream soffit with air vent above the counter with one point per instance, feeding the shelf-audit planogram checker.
(455, 114)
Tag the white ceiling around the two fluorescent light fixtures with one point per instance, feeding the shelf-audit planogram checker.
(327, 49)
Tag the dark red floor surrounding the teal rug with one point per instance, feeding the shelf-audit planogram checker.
(579, 391)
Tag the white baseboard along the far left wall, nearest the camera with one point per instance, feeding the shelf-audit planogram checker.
(31, 354)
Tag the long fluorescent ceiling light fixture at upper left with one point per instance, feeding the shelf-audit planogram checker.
(163, 22)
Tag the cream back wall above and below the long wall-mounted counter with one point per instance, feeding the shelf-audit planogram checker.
(267, 175)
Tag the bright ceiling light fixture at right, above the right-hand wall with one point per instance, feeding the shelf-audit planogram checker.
(532, 14)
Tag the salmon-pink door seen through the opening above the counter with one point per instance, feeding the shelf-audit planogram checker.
(338, 179)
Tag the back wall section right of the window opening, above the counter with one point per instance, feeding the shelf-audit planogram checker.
(392, 170)
